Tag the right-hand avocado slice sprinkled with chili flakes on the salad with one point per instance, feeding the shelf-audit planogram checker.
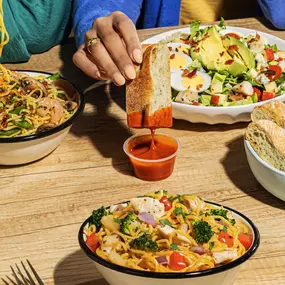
(236, 48)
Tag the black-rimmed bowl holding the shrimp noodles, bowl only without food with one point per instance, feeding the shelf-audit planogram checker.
(25, 149)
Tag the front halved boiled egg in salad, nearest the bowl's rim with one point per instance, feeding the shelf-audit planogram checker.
(195, 81)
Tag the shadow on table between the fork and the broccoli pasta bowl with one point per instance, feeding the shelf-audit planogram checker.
(77, 268)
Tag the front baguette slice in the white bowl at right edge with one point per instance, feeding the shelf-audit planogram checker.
(268, 140)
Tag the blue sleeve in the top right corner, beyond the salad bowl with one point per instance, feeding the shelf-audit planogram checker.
(274, 11)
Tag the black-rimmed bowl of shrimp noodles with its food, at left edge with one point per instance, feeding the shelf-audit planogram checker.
(37, 110)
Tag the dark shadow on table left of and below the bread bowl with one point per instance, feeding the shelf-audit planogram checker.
(237, 168)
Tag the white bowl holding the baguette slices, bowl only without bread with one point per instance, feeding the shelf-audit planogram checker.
(272, 179)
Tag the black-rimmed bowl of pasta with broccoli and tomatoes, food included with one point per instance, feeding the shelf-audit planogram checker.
(159, 237)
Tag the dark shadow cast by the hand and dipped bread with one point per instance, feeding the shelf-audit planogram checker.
(103, 128)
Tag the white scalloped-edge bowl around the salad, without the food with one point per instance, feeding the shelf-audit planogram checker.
(216, 115)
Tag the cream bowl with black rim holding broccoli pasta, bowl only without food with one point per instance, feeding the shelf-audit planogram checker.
(221, 275)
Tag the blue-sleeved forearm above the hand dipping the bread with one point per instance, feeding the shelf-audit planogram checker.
(86, 11)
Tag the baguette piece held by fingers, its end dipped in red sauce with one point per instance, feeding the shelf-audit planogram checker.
(148, 96)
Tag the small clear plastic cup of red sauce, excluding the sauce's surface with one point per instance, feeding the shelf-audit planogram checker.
(152, 169)
